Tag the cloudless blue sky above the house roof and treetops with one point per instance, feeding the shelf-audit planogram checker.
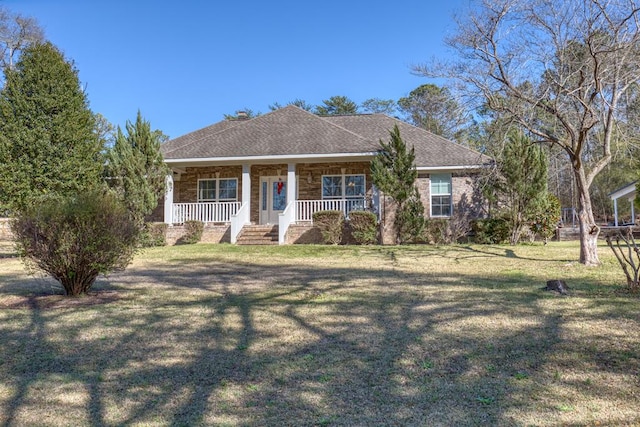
(184, 64)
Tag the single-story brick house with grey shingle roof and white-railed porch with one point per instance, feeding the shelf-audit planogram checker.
(279, 168)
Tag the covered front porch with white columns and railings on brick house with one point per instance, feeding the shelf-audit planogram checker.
(276, 194)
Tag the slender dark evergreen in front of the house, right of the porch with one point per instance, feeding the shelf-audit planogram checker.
(394, 172)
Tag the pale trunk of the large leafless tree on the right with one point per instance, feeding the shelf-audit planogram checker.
(589, 230)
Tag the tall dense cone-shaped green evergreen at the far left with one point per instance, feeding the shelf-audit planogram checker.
(47, 139)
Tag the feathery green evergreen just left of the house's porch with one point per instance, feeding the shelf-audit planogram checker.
(135, 167)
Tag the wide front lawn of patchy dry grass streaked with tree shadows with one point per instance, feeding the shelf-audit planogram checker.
(318, 335)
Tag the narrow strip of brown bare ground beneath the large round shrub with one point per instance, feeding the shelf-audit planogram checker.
(48, 301)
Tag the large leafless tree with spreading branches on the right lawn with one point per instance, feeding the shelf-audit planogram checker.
(558, 68)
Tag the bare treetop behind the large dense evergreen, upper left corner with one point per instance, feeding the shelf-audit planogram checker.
(16, 32)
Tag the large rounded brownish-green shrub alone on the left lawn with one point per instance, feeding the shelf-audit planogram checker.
(74, 239)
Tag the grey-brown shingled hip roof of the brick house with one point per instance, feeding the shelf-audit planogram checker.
(293, 131)
